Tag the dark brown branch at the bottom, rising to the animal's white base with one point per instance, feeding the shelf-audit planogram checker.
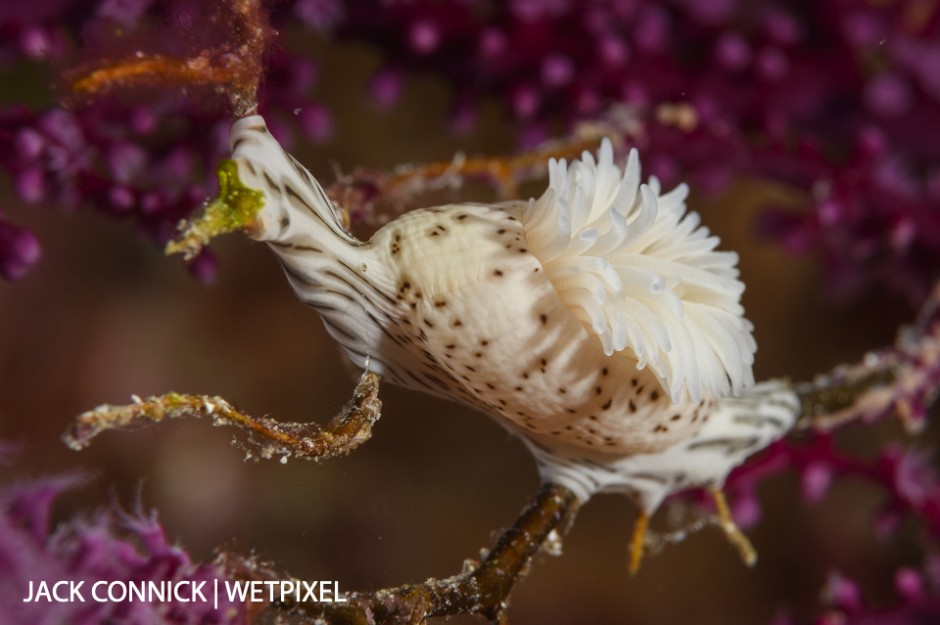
(482, 588)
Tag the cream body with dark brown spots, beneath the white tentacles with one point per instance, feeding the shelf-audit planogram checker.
(478, 321)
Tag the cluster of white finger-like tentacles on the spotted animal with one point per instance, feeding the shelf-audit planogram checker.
(639, 271)
